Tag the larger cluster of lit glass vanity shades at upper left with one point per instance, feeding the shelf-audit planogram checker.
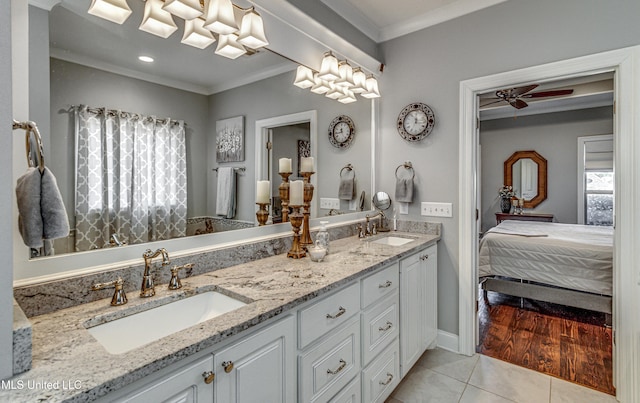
(235, 28)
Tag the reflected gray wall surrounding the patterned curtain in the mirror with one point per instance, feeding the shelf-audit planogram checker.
(73, 84)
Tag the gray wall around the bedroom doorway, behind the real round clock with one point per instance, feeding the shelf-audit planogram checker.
(428, 66)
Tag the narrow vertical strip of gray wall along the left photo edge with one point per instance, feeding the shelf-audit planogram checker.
(6, 182)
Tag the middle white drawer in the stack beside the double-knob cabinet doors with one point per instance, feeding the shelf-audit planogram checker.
(330, 365)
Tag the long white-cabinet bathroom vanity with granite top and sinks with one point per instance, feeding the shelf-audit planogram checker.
(347, 328)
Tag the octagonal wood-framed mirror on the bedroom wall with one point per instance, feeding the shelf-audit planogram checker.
(526, 171)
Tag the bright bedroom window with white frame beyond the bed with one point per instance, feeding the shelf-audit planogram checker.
(595, 180)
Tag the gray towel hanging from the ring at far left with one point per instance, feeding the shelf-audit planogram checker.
(42, 214)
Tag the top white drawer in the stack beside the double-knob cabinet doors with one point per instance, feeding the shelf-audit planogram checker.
(323, 316)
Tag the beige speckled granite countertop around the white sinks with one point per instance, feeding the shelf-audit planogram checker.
(70, 365)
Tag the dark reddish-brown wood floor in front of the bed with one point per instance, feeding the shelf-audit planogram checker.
(567, 343)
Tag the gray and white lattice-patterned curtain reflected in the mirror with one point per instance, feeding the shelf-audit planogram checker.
(131, 178)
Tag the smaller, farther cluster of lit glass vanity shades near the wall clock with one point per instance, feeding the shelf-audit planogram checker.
(337, 80)
